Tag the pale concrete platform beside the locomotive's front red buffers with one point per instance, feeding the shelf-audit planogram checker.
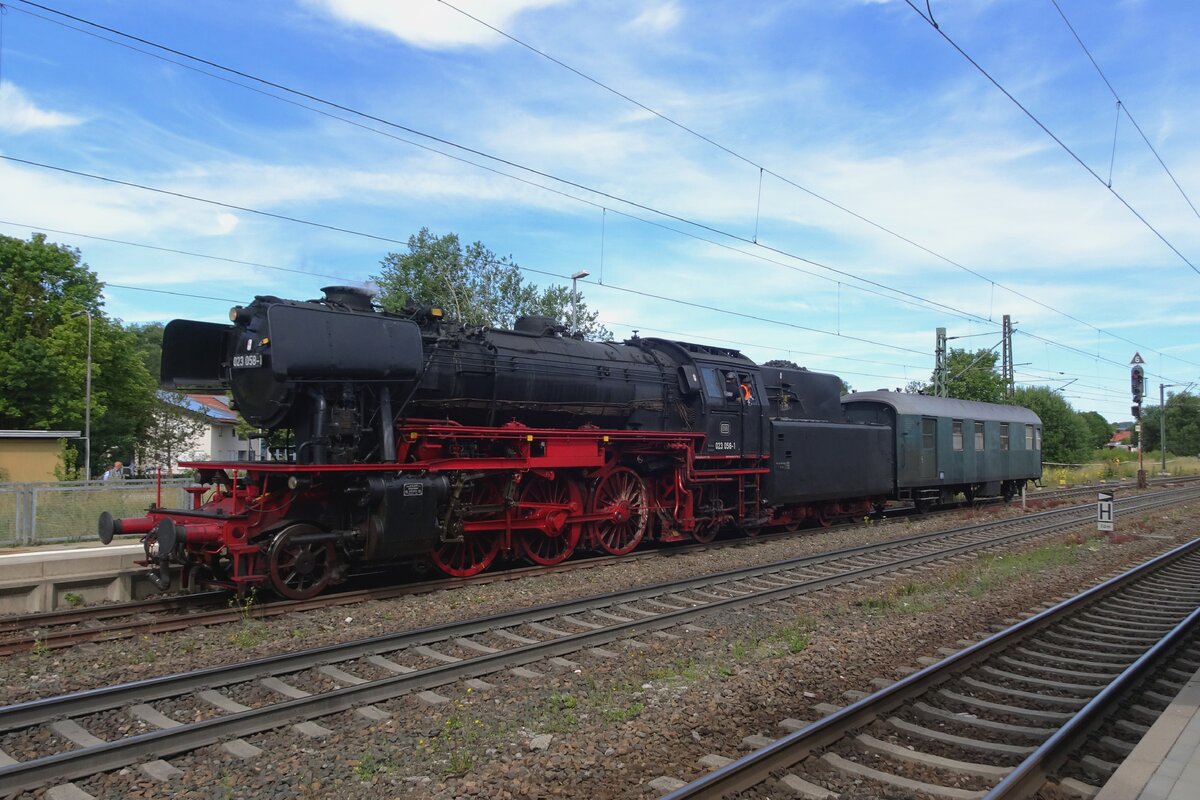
(59, 576)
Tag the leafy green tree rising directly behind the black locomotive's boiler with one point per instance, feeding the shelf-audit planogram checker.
(473, 286)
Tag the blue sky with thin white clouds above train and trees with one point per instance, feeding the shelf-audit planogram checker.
(862, 104)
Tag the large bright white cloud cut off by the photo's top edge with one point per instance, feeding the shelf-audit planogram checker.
(430, 25)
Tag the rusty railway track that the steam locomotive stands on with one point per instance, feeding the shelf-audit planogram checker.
(67, 628)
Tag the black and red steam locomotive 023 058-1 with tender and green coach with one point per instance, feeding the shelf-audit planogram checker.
(424, 441)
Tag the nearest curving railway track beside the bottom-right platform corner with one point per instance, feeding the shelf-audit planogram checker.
(1073, 687)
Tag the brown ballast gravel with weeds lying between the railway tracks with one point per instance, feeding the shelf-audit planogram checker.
(599, 726)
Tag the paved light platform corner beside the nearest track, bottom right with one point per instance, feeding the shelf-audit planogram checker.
(1166, 765)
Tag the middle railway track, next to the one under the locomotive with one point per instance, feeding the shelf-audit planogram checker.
(81, 735)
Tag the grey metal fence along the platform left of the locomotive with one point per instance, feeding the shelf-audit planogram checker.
(41, 514)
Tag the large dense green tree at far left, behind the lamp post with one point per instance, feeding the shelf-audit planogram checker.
(44, 351)
